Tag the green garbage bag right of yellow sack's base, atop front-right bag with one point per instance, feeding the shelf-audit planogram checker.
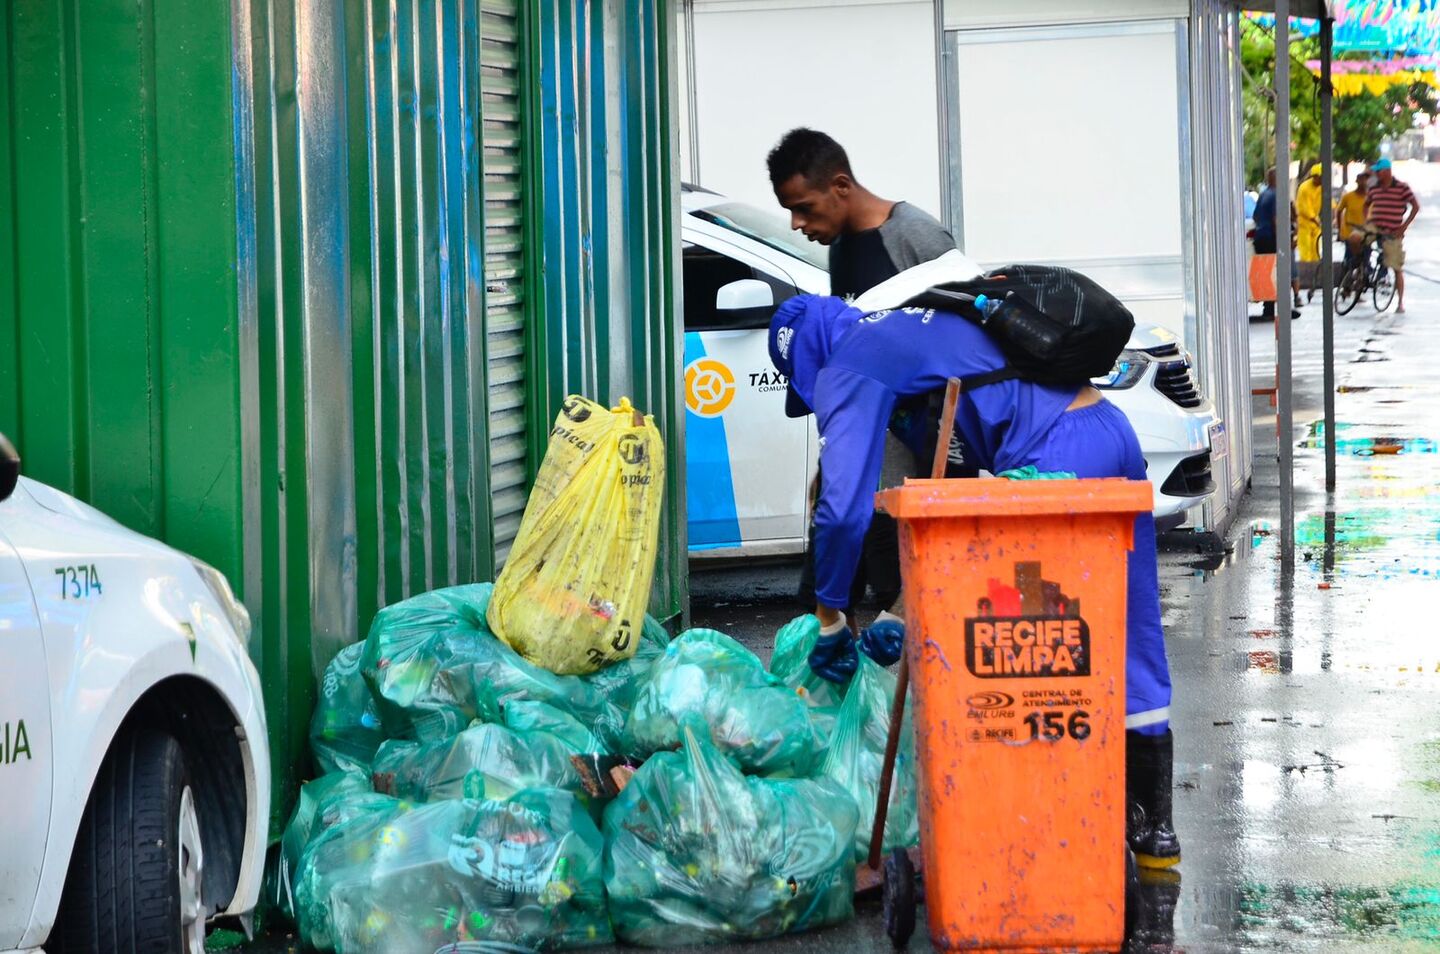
(752, 715)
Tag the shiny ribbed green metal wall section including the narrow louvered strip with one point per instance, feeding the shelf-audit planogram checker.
(388, 446)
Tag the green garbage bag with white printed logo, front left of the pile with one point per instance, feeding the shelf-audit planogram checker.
(526, 871)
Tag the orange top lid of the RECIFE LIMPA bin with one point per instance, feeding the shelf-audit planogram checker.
(999, 498)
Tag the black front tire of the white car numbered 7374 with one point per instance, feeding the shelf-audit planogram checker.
(136, 874)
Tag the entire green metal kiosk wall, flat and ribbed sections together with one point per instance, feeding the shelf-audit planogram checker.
(290, 283)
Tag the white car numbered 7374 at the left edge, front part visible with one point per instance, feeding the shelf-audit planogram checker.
(135, 769)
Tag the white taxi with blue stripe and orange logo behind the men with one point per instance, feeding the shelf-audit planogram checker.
(748, 466)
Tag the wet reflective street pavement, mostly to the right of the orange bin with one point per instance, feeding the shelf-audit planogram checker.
(1308, 707)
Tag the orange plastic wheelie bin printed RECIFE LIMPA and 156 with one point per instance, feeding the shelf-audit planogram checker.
(1016, 641)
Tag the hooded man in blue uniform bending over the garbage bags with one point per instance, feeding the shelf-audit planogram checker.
(852, 370)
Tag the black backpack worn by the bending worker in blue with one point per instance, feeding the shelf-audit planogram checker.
(1055, 325)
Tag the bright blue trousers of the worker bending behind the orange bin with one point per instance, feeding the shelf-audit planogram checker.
(1099, 442)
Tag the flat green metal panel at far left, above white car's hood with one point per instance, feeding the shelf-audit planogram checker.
(117, 293)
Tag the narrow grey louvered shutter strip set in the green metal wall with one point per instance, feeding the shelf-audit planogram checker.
(502, 159)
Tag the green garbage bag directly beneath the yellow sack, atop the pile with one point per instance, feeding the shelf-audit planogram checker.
(436, 668)
